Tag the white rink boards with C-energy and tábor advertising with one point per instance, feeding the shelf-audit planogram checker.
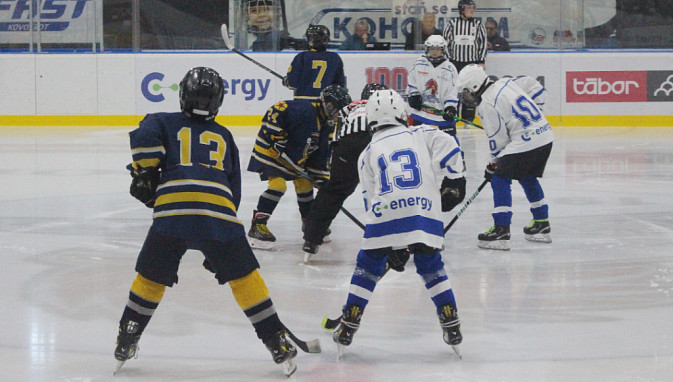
(579, 84)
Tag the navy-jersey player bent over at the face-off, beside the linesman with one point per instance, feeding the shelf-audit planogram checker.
(293, 131)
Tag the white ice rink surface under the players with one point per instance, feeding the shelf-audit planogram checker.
(594, 305)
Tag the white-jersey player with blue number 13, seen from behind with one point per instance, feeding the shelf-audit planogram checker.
(408, 176)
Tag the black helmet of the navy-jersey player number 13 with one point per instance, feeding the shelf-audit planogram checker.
(201, 93)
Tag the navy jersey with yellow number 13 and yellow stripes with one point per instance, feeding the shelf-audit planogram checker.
(200, 187)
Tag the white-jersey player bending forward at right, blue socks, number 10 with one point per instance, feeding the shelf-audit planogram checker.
(520, 139)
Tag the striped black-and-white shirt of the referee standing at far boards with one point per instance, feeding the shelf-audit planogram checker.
(466, 40)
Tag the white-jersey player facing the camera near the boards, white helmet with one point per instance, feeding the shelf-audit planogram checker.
(432, 95)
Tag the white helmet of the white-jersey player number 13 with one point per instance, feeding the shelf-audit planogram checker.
(386, 108)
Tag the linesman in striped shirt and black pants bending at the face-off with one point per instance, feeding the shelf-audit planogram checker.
(351, 136)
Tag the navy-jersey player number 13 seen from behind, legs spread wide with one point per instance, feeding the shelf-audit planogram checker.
(186, 167)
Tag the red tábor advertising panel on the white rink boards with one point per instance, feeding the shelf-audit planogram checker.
(608, 86)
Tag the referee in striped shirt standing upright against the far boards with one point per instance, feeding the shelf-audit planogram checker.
(466, 37)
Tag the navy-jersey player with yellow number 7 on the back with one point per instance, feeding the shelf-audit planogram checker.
(315, 69)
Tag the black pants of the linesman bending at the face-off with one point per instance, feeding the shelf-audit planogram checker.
(342, 182)
